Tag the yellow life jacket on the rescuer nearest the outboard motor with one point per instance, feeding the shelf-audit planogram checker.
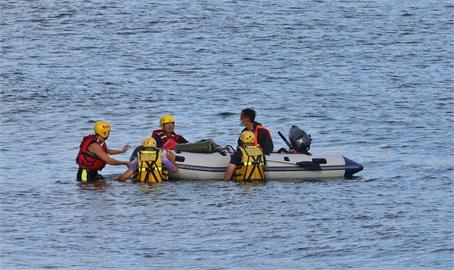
(252, 164)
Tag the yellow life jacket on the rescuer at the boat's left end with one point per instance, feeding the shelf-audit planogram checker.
(149, 167)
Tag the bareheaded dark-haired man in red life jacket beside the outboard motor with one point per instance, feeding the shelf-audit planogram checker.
(261, 134)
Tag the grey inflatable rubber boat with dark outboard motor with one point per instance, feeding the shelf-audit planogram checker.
(200, 161)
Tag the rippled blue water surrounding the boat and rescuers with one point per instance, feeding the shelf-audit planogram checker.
(372, 80)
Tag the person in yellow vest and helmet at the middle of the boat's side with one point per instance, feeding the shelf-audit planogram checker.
(248, 162)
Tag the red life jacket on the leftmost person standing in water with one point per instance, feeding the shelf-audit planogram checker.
(88, 160)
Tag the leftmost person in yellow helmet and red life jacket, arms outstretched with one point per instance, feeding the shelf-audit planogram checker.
(94, 154)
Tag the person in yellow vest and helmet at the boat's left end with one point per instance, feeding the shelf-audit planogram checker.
(151, 164)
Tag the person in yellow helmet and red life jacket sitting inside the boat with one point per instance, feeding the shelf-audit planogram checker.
(166, 137)
